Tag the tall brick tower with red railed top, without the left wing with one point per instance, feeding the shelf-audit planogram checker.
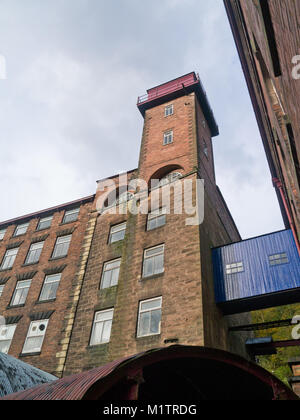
(149, 277)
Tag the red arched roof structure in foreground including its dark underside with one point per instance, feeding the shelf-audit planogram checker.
(176, 372)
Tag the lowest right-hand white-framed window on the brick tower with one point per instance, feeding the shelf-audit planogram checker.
(149, 317)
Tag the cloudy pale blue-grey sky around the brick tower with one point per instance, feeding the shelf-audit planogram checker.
(68, 114)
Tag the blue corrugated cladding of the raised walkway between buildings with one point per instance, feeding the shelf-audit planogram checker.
(258, 277)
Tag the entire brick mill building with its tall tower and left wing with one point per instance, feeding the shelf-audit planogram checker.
(81, 287)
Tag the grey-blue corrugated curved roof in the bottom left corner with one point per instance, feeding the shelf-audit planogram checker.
(17, 376)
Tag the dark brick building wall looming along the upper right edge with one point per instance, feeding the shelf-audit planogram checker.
(267, 37)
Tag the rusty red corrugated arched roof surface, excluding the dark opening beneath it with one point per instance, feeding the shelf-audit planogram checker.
(82, 386)
